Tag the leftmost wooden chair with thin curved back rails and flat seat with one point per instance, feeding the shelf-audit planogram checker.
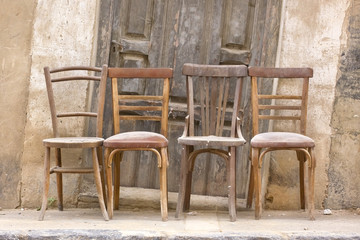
(58, 142)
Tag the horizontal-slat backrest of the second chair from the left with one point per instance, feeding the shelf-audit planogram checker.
(138, 105)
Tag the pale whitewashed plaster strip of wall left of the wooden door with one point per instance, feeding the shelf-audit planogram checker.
(63, 34)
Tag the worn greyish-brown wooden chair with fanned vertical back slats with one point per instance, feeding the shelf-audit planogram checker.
(210, 89)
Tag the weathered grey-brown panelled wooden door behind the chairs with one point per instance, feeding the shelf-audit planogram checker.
(164, 33)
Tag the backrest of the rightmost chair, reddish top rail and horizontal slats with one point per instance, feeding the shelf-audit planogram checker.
(277, 106)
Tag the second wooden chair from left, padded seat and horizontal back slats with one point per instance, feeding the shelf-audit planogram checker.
(127, 106)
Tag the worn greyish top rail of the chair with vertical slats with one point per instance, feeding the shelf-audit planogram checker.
(214, 70)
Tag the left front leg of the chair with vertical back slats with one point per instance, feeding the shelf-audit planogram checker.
(183, 181)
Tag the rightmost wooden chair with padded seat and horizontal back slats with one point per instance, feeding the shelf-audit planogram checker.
(286, 107)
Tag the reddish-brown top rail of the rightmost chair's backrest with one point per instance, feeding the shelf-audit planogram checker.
(280, 72)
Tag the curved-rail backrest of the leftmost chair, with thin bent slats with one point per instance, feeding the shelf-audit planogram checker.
(71, 75)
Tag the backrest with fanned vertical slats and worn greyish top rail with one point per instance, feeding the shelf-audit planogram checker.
(214, 96)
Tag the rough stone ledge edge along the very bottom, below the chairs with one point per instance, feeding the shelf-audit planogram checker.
(144, 235)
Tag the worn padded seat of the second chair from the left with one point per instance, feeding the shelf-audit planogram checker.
(136, 139)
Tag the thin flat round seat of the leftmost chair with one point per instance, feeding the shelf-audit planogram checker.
(73, 142)
